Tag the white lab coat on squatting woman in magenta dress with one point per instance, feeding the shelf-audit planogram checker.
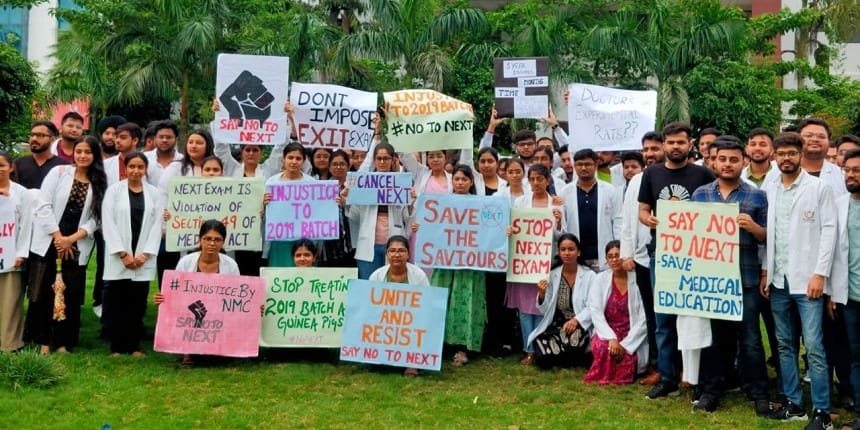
(635, 341)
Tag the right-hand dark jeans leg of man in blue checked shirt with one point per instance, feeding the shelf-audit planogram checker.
(753, 367)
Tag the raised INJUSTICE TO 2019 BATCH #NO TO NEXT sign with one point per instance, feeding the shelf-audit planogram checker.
(425, 120)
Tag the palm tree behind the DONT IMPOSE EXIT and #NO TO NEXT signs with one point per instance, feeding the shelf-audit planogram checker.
(419, 35)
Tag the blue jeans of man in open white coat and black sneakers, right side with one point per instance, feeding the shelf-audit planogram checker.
(784, 305)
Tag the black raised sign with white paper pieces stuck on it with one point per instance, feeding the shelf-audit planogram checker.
(522, 87)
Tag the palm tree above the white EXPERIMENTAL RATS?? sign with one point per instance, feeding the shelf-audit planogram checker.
(661, 40)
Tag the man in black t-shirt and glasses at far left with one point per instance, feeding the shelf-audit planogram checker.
(30, 170)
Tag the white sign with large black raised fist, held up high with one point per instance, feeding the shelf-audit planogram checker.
(252, 92)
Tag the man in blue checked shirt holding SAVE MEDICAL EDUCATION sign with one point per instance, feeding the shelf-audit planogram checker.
(717, 359)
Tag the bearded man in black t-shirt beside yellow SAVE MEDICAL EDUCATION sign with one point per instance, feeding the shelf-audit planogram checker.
(675, 179)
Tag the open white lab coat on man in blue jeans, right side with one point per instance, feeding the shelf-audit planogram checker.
(811, 229)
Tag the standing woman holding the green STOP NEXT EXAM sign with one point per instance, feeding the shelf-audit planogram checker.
(521, 296)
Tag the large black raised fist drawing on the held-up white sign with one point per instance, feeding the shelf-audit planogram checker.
(247, 98)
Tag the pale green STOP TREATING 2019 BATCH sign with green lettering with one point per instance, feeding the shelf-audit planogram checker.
(304, 306)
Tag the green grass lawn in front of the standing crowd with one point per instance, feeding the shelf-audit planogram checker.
(294, 392)
